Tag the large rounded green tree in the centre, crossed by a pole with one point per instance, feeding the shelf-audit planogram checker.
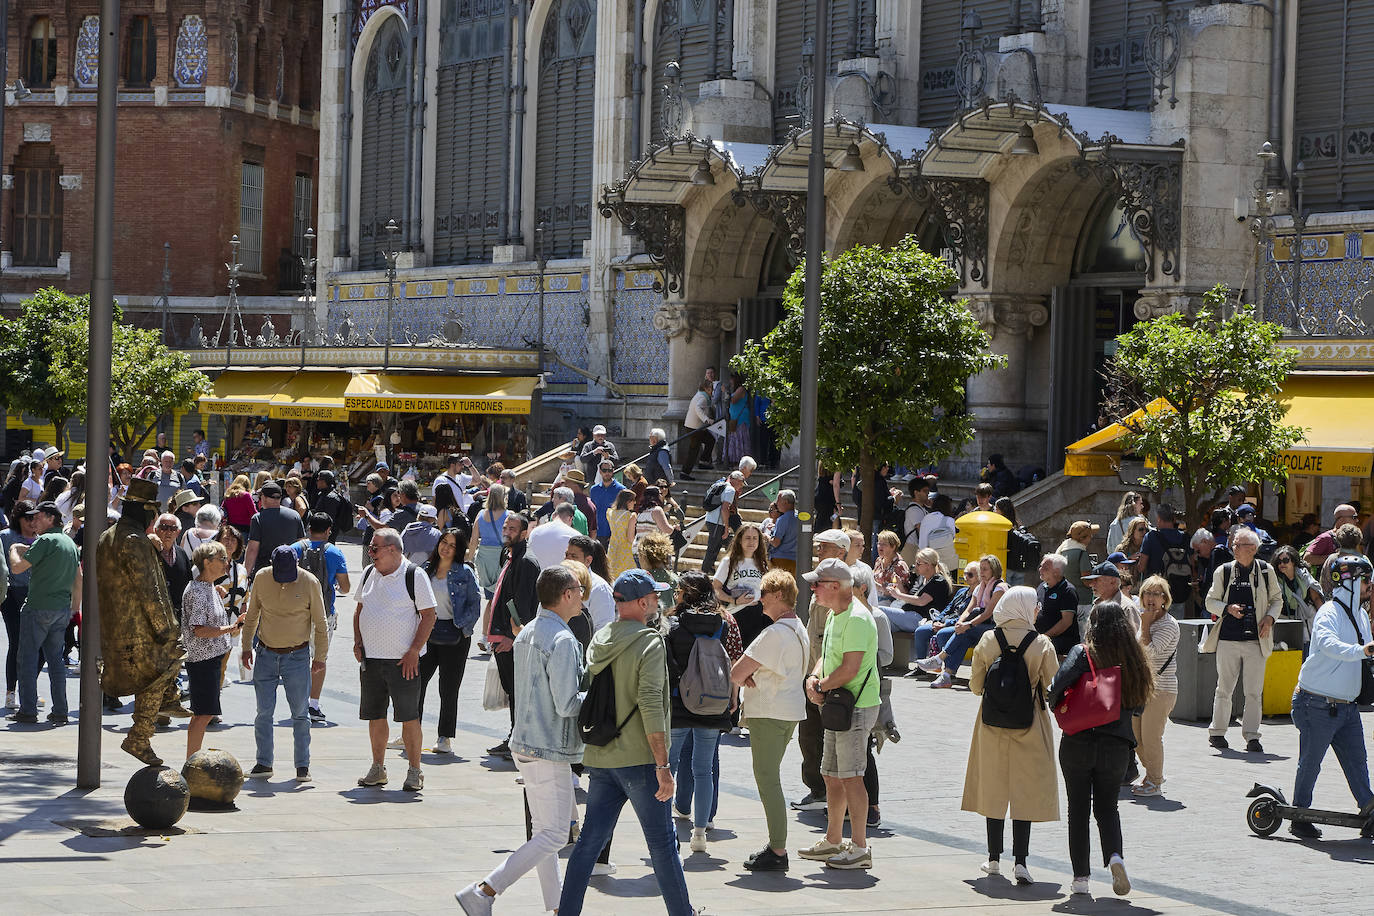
(895, 356)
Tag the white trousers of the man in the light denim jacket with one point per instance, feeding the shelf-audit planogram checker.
(550, 793)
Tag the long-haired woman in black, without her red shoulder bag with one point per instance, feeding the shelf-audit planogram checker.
(1096, 760)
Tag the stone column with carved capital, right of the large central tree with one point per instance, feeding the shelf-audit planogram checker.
(998, 399)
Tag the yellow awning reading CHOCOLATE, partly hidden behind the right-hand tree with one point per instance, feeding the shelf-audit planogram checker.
(1322, 404)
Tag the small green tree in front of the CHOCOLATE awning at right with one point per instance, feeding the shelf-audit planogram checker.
(1222, 380)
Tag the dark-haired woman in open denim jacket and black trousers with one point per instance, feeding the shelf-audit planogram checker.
(458, 606)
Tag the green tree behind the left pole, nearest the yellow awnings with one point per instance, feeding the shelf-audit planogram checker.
(149, 380)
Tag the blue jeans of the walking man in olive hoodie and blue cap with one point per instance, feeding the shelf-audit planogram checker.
(608, 790)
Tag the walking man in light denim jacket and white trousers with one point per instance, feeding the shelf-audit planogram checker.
(545, 742)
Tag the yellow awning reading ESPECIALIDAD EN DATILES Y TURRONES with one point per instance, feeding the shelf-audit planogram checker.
(440, 393)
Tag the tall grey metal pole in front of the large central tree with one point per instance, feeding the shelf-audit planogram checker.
(811, 315)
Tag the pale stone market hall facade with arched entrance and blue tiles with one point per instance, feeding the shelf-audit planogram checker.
(1083, 167)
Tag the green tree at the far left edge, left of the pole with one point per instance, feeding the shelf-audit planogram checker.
(27, 350)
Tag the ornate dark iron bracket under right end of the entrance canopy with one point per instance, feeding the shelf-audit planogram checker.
(1151, 189)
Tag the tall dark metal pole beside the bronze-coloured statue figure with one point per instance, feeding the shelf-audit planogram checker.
(98, 396)
